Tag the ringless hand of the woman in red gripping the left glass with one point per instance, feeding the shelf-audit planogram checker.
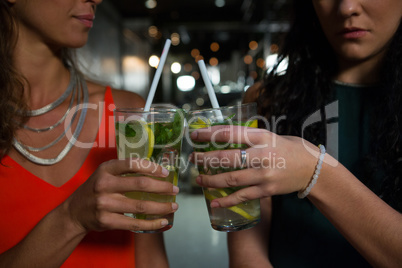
(99, 204)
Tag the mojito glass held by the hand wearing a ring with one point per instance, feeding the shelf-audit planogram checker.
(244, 215)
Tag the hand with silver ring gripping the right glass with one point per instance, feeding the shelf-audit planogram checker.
(275, 164)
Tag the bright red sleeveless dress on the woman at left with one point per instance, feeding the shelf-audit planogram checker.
(25, 199)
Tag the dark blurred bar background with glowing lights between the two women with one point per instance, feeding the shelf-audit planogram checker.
(234, 37)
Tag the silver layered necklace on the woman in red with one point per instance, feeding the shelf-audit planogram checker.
(77, 87)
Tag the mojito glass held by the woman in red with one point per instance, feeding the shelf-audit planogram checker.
(154, 135)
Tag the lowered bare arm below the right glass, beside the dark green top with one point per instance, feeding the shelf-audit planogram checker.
(249, 248)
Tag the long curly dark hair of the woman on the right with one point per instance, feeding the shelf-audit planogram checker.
(307, 86)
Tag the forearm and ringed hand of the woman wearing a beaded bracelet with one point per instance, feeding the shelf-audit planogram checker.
(366, 221)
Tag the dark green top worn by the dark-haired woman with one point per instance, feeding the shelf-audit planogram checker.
(300, 235)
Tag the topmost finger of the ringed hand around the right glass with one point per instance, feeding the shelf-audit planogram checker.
(231, 134)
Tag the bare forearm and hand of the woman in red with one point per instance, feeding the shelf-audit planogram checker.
(96, 205)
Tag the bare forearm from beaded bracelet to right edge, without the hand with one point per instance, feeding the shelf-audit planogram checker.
(367, 222)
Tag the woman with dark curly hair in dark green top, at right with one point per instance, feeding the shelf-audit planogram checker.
(342, 89)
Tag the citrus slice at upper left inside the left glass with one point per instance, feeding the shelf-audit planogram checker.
(134, 134)
